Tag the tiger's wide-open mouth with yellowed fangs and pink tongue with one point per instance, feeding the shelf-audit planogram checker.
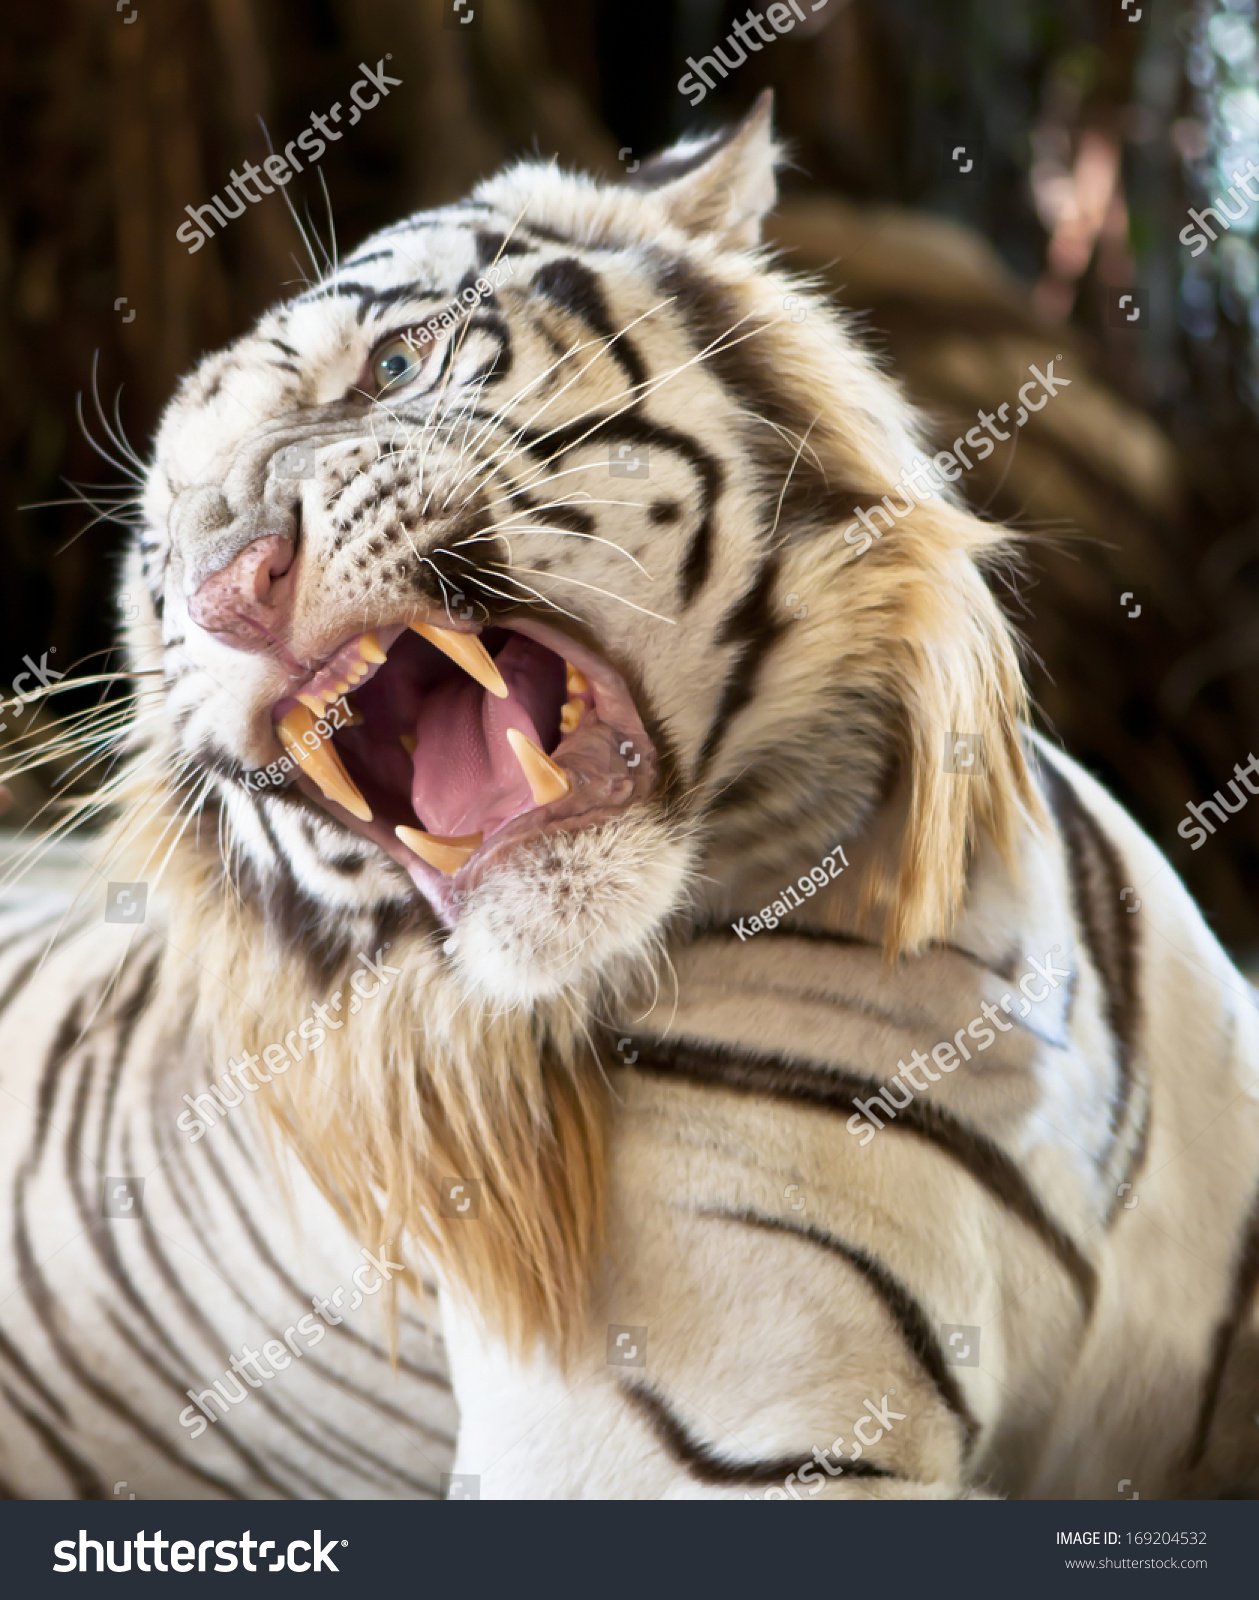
(449, 746)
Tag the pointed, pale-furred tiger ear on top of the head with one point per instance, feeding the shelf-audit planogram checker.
(722, 185)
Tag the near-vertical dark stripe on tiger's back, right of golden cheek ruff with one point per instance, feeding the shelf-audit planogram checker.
(1097, 879)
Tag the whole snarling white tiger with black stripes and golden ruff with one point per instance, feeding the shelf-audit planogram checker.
(468, 662)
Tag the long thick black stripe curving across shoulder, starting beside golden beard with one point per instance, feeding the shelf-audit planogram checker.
(836, 1092)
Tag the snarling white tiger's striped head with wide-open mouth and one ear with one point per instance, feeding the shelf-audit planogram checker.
(478, 570)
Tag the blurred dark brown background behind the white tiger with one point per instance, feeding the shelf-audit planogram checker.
(981, 180)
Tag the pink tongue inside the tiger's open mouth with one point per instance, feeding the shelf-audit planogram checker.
(466, 778)
